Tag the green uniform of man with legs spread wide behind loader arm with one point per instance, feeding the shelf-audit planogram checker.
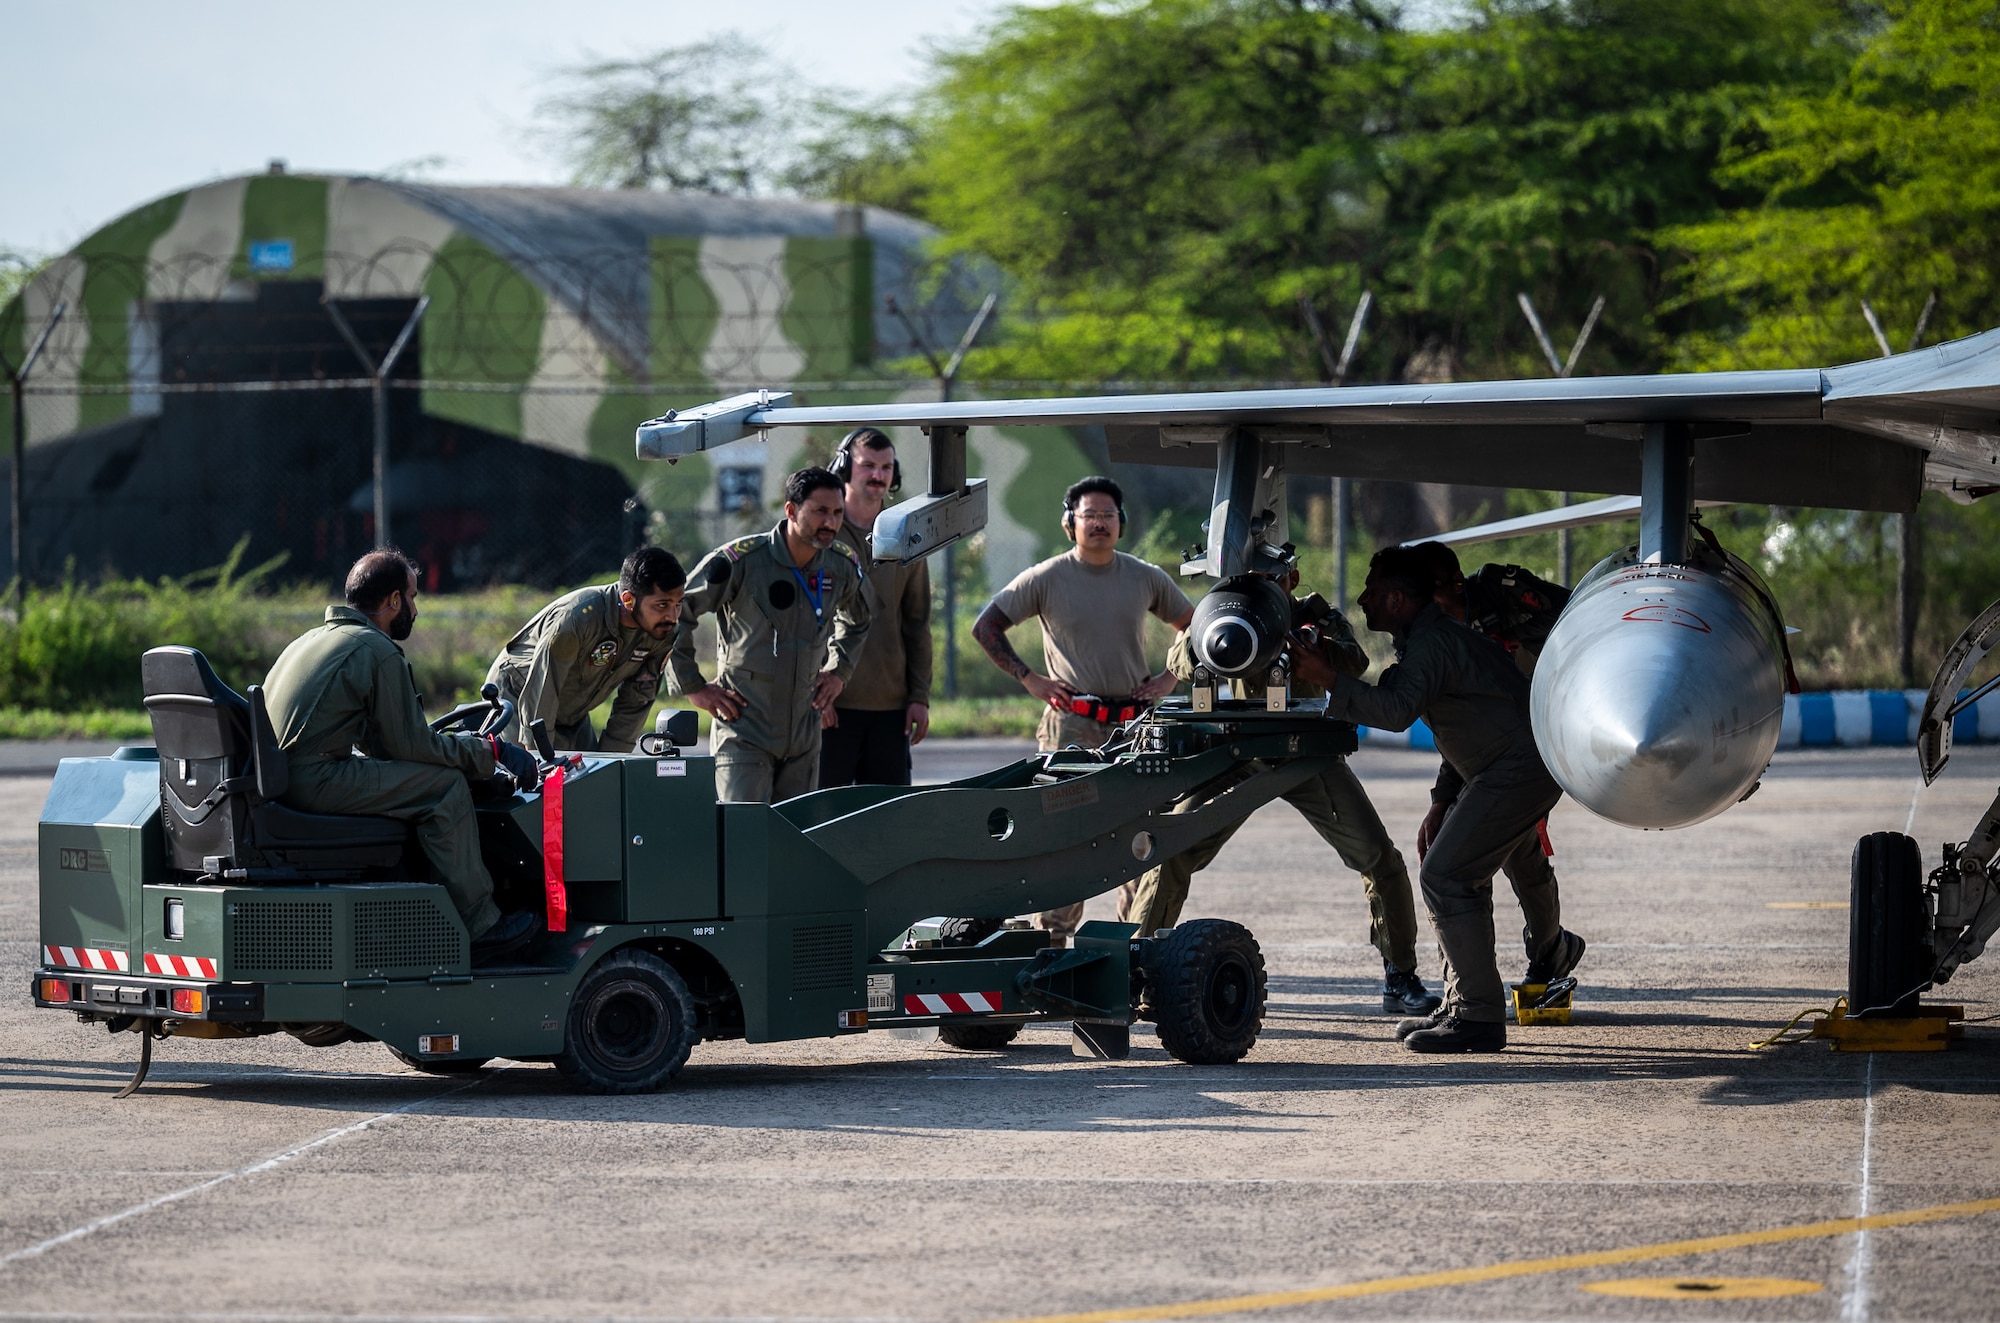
(1339, 810)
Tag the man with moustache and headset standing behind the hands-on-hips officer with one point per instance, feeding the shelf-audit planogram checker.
(885, 706)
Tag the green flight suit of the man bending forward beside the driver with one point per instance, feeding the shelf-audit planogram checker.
(573, 657)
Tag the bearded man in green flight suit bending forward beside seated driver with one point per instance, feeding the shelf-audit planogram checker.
(589, 647)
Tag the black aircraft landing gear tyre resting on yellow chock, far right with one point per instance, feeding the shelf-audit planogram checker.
(1889, 928)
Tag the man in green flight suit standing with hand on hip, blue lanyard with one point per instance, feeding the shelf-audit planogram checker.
(791, 625)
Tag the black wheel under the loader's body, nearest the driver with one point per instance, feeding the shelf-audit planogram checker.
(631, 1026)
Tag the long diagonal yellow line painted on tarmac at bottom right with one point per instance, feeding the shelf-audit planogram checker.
(1523, 1268)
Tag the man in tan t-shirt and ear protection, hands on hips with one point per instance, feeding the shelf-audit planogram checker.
(1093, 603)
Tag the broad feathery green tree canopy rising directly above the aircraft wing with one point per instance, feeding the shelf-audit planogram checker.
(1197, 189)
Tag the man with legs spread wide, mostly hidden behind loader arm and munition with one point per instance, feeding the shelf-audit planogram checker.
(1339, 810)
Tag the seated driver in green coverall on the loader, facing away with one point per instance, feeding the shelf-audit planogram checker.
(345, 708)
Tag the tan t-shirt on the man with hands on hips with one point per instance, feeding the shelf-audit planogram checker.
(1095, 619)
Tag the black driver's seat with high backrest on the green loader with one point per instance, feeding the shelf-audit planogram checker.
(221, 776)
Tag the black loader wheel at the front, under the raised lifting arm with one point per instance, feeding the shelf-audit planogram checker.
(1205, 986)
